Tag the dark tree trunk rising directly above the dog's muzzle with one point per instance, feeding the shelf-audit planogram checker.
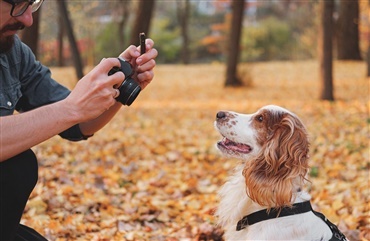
(233, 44)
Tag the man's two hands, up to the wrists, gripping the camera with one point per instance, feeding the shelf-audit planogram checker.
(94, 94)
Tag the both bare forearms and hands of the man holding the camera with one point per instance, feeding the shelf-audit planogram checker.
(91, 104)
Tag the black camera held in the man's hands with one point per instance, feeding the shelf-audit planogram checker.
(129, 89)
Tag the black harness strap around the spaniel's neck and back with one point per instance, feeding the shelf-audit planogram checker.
(297, 208)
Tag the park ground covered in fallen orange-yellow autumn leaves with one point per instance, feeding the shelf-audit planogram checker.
(153, 172)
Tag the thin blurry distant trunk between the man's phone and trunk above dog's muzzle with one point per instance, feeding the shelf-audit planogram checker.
(183, 10)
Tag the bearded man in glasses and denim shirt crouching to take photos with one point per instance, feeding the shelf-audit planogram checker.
(46, 109)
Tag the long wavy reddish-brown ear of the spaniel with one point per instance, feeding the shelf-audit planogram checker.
(283, 161)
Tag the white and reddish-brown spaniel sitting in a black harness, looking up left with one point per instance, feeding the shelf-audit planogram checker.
(264, 198)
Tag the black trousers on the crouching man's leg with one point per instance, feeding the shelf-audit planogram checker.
(18, 177)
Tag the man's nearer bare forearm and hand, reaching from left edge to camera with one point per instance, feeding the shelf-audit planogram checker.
(92, 96)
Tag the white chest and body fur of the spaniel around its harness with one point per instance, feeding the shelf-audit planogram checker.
(235, 204)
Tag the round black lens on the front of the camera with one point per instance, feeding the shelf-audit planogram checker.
(129, 90)
